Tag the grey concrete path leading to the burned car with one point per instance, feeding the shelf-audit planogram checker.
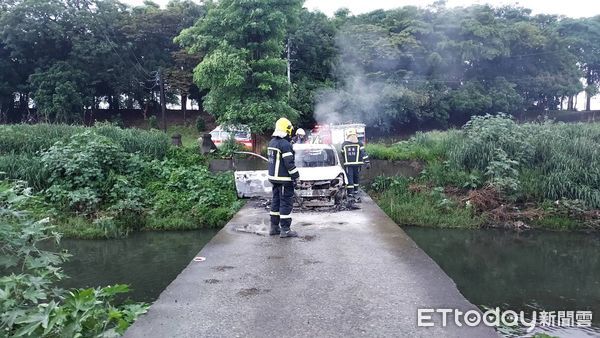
(351, 273)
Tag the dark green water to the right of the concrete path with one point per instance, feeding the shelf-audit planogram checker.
(526, 271)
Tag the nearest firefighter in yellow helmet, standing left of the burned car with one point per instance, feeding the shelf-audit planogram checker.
(283, 175)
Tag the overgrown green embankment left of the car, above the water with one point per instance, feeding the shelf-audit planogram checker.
(105, 181)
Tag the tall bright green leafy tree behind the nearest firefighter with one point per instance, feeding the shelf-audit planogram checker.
(243, 69)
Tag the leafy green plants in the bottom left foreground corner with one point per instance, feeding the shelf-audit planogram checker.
(31, 303)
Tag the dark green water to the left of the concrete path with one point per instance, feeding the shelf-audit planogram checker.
(147, 261)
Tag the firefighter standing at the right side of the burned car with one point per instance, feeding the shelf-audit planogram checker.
(354, 156)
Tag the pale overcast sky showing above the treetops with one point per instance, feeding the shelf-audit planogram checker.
(572, 8)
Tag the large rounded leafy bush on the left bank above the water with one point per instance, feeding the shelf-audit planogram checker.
(90, 172)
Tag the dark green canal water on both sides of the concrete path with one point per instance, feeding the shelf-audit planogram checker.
(517, 271)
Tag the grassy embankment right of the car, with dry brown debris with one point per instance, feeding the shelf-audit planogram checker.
(495, 172)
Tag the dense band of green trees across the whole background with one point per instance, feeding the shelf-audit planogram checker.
(395, 69)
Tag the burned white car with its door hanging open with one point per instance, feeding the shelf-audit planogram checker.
(322, 179)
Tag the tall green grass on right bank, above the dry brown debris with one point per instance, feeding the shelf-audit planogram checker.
(553, 160)
